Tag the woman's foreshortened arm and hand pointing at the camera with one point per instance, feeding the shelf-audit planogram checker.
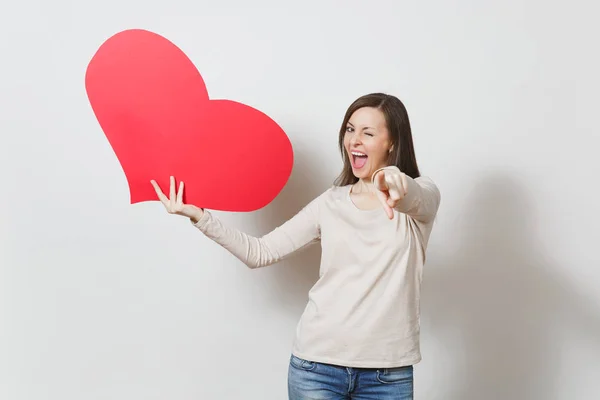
(419, 198)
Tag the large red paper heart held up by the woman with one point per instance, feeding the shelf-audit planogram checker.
(154, 109)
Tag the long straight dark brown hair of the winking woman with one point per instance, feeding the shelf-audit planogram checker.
(398, 125)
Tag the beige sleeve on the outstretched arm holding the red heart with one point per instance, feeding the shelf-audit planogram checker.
(299, 231)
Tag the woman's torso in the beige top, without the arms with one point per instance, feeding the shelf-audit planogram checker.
(364, 309)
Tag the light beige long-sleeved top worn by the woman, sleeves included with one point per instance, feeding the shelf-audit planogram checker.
(364, 309)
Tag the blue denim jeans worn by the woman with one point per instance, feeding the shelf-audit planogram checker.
(313, 380)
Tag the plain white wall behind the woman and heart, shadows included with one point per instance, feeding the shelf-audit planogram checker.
(104, 300)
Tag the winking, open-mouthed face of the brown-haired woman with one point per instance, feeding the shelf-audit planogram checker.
(367, 142)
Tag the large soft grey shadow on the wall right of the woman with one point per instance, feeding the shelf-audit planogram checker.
(505, 299)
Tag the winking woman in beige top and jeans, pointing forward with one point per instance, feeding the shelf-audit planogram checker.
(358, 337)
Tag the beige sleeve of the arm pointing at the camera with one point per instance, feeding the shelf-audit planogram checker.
(422, 199)
